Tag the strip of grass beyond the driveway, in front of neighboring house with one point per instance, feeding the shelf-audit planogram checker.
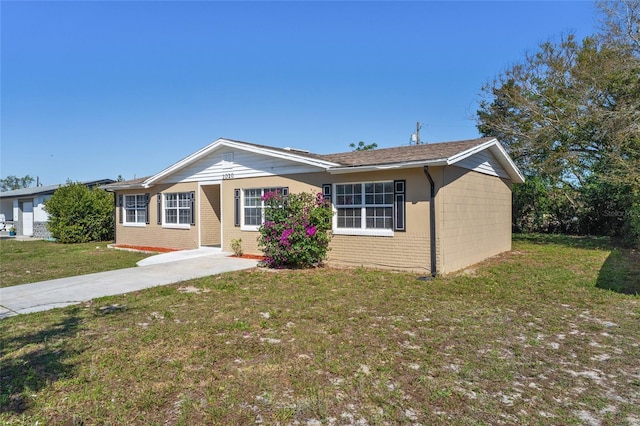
(23, 262)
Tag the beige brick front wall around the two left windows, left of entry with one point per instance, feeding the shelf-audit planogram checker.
(152, 234)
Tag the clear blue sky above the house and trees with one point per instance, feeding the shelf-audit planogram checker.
(93, 90)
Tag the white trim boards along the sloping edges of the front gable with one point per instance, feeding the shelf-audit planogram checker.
(321, 164)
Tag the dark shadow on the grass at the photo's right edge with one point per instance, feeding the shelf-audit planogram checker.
(621, 272)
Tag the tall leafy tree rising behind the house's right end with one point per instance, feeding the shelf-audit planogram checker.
(569, 112)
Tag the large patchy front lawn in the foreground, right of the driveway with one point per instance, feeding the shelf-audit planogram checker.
(535, 336)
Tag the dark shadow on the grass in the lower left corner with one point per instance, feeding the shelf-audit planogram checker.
(41, 361)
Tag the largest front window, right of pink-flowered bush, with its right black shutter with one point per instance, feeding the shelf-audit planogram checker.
(368, 207)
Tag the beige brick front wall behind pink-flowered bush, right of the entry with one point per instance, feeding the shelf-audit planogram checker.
(405, 250)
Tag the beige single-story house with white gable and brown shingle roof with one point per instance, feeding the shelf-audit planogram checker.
(432, 208)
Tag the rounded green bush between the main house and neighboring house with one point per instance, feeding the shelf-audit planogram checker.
(78, 214)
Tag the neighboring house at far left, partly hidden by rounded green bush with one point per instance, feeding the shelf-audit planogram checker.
(24, 208)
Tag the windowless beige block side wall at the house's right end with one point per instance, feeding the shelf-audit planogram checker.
(473, 217)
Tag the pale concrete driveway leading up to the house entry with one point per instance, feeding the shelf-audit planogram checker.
(161, 269)
